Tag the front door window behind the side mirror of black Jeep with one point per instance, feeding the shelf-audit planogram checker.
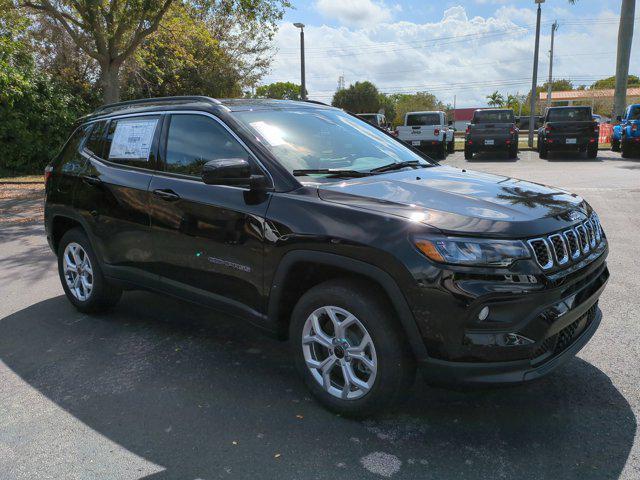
(193, 140)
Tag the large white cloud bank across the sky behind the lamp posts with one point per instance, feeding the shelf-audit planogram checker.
(457, 55)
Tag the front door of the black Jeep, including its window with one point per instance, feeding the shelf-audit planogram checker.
(208, 239)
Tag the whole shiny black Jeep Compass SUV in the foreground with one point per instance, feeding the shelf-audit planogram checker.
(370, 258)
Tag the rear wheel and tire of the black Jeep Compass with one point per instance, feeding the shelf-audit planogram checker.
(81, 275)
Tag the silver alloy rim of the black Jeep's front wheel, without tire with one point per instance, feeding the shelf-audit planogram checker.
(339, 352)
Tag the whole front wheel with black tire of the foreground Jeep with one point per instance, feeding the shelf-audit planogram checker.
(351, 353)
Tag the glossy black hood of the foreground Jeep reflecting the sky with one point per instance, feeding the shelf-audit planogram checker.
(462, 202)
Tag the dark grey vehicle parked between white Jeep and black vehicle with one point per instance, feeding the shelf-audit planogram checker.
(491, 131)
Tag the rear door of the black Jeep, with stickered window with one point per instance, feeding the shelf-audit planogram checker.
(114, 198)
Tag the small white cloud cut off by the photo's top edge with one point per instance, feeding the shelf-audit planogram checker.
(359, 13)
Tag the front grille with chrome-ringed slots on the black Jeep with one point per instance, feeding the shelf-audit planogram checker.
(558, 249)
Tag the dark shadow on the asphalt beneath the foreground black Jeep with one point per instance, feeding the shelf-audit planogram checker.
(178, 385)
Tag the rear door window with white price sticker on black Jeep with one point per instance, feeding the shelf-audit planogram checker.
(131, 140)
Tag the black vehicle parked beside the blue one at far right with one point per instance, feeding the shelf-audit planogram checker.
(569, 129)
